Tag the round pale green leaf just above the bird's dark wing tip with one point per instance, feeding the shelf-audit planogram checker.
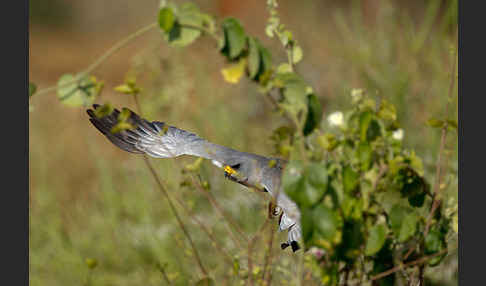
(76, 93)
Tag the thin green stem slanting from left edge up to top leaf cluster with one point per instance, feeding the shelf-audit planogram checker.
(120, 44)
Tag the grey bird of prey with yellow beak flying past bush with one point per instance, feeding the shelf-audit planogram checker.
(159, 140)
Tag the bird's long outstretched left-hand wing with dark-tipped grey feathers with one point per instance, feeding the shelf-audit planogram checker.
(159, 140)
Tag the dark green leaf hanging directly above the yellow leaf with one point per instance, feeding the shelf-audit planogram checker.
(234, 38)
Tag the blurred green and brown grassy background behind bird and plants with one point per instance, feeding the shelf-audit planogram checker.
(90, 200)
